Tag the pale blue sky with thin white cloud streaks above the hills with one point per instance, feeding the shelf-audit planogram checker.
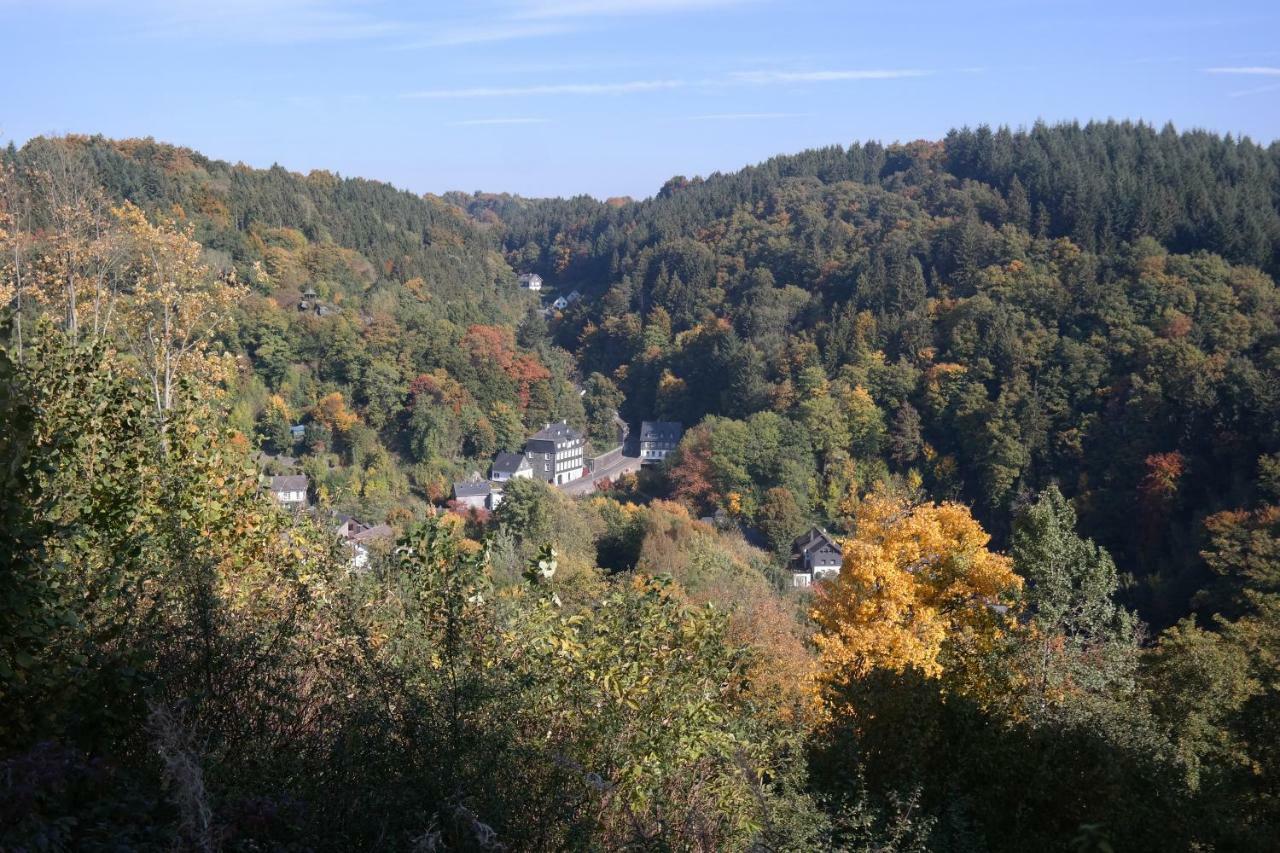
(614, 97)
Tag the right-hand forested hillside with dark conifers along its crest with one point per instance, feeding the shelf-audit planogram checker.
(1090, 307)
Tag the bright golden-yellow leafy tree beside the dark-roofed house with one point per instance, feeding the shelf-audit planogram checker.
(918, 590)
